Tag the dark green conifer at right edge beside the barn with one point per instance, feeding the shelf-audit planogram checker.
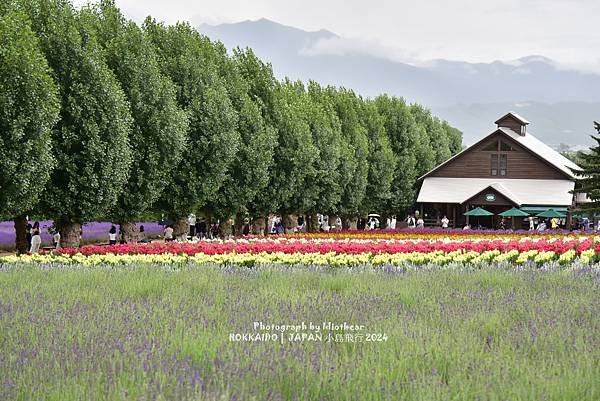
(588, 178)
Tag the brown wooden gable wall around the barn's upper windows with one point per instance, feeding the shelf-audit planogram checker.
(475, 163)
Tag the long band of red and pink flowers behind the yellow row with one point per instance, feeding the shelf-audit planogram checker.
(289, 245)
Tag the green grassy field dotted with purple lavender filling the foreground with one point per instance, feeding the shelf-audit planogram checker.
(149, 333)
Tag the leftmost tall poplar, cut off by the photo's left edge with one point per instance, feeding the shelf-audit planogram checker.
(28, 109)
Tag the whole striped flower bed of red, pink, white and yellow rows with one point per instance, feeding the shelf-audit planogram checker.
(343, 249)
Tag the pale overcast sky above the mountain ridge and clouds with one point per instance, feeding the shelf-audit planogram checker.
(470, 30)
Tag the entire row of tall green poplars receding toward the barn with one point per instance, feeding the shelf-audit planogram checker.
(102, 118)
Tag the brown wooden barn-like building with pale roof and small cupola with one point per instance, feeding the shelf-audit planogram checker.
(508, 168)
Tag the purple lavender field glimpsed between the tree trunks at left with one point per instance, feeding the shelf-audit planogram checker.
(92, 232)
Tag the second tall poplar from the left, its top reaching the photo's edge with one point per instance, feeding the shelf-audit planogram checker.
(90, 140)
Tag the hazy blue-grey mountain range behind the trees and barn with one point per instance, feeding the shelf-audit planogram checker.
(560, 103)
